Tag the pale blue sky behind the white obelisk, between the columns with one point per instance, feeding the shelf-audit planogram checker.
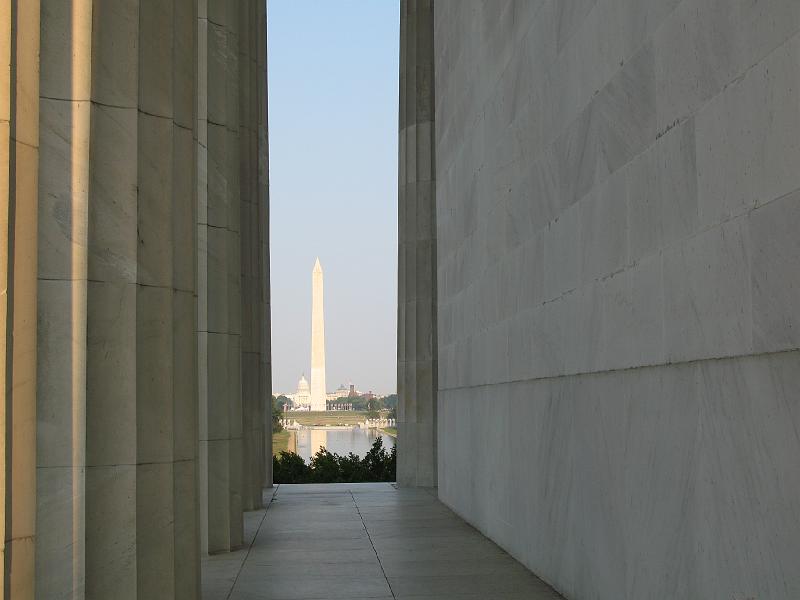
(333, 77)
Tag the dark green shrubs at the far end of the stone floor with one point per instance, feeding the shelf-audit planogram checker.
(329, 467)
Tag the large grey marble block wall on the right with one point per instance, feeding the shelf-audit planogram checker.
(618, 196)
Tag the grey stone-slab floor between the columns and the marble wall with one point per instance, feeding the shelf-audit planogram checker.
(369, 540)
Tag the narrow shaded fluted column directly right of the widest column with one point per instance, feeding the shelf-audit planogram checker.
(219, 277)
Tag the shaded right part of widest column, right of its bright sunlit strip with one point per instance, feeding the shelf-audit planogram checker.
(141, 407)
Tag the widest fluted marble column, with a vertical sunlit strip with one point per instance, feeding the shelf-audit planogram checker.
(117, 423)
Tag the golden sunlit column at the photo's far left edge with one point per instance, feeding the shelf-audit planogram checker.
(19, 150)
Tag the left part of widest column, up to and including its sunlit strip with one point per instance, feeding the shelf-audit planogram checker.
(66, 69)
